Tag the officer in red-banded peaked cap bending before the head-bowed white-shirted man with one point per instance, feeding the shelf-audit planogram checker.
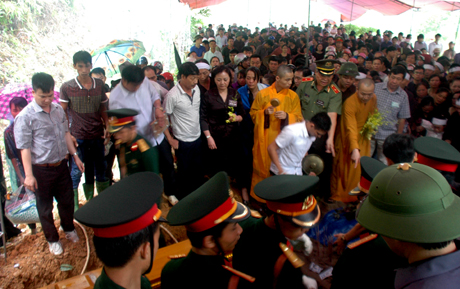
(136, 153)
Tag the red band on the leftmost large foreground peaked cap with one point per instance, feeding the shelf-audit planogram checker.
(131, 227)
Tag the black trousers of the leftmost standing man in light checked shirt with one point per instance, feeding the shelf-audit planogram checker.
(54, 182)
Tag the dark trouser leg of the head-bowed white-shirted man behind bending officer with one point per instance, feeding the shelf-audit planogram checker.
(167, 167)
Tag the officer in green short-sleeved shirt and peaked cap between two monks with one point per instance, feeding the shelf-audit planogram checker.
(321, 94)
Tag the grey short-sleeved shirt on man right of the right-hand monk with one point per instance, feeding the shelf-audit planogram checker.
(393, 106)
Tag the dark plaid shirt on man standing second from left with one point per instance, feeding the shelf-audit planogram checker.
(84, 108)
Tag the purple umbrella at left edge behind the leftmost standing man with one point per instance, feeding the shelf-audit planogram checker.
(17, 89)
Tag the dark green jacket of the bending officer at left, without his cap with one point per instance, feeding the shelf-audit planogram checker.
(139, 156)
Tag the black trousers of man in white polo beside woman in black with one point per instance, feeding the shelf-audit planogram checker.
(189, 167)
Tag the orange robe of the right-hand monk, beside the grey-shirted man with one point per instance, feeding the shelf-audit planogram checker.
(344, 176)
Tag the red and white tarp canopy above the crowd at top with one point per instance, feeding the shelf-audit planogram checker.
(353, 9)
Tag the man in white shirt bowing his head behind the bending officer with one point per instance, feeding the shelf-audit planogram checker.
(136, 91)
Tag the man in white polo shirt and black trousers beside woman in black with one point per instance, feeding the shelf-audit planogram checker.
(183, 108)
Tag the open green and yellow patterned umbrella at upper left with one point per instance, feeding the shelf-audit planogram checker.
(110, 56)
